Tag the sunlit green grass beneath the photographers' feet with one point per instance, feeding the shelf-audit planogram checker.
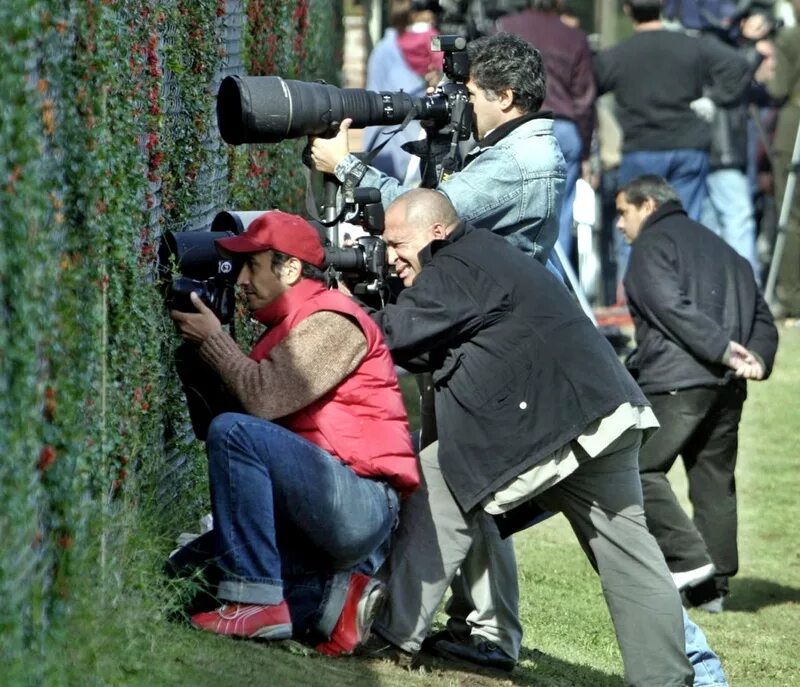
(568, 637)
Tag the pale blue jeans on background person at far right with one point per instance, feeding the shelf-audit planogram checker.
(728, 211)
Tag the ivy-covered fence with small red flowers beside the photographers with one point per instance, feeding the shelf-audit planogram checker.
(107, 140)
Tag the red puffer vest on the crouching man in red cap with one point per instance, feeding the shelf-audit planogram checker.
(362, 421)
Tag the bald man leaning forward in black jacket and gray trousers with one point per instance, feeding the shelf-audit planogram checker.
(533, 410)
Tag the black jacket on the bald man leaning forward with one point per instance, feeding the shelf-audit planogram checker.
(518, 369)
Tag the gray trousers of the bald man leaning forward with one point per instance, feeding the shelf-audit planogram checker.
(603, 502)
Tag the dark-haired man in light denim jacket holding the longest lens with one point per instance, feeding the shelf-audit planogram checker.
(513, 180)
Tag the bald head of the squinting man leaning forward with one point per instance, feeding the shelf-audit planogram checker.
(412, 221)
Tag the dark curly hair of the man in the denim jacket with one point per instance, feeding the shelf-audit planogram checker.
(506, 61)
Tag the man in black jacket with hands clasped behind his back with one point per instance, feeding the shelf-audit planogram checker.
(702, 329)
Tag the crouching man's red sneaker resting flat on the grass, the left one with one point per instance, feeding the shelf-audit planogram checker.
(247, 620)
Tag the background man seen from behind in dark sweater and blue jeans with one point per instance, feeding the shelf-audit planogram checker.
(666, 84)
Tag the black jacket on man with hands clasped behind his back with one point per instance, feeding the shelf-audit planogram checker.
(689, 294)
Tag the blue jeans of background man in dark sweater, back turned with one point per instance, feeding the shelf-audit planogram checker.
(684, 169)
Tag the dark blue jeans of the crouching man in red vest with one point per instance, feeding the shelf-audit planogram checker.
(289, 516)
